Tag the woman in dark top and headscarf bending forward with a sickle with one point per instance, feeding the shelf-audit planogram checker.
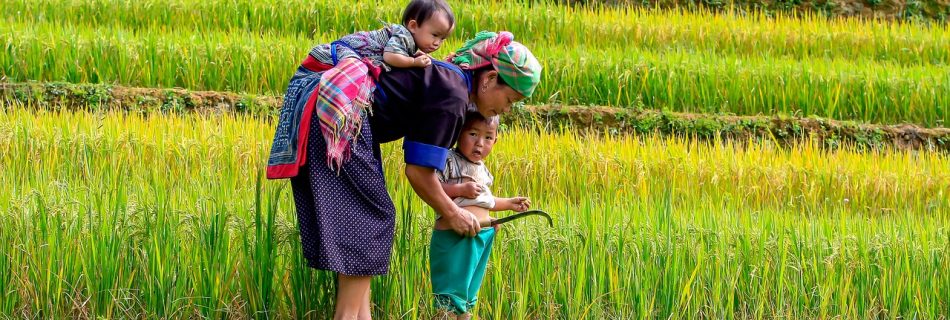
(346, 216)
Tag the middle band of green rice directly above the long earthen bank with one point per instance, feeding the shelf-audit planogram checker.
(684, 80)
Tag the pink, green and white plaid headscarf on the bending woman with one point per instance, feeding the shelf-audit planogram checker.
(513, 61)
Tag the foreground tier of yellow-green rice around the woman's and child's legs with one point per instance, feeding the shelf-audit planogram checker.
(122, 215)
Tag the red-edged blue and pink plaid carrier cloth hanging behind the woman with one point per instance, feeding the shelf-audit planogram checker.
(338, 94)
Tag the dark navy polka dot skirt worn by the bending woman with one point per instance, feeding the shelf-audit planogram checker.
(346, 220)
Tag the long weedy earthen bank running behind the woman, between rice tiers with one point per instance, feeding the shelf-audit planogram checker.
(782, 130)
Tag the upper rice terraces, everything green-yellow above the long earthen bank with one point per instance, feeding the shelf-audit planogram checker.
(689, 62)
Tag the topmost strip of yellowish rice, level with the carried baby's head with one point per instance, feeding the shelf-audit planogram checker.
(534, 22)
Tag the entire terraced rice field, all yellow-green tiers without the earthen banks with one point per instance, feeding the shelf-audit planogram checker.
(166, 215)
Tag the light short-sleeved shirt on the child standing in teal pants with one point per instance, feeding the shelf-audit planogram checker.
(460, 170)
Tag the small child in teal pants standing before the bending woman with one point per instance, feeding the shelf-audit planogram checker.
(458, 263)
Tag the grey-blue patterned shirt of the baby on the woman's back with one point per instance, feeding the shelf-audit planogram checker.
(393, 38)
